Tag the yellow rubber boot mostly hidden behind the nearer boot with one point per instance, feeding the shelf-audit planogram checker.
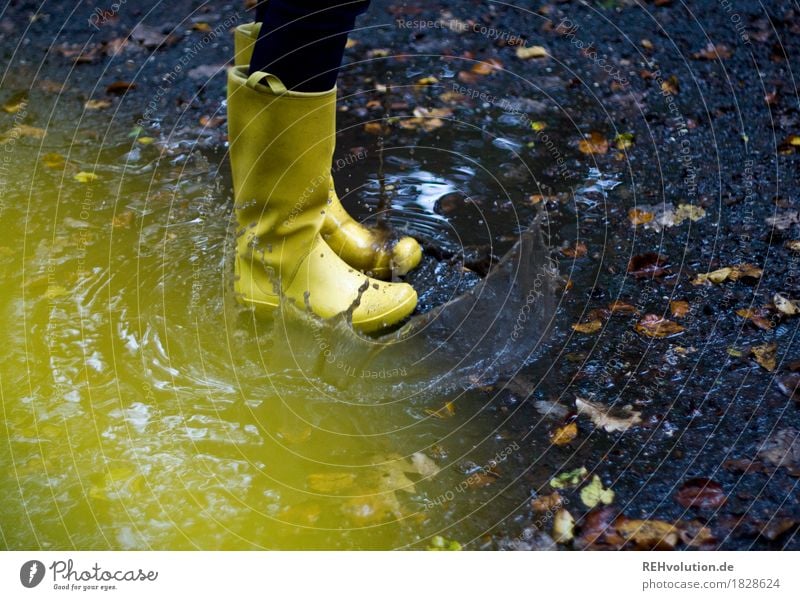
(367, 250)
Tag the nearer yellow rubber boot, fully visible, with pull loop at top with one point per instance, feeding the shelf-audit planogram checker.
(281, 146)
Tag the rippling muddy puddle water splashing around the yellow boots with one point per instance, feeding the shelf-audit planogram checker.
(144, 408)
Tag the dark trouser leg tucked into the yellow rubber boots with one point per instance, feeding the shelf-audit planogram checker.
(302, 41)
